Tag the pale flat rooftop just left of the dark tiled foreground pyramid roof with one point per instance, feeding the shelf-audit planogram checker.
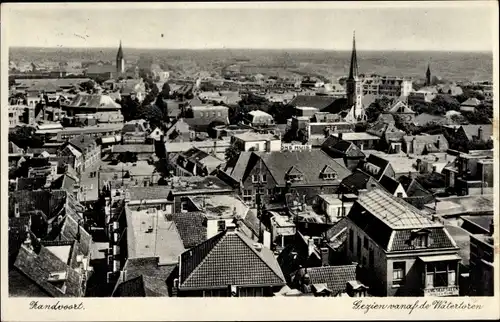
(149, 234)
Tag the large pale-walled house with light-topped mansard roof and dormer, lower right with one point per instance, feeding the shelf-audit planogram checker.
(405, 253)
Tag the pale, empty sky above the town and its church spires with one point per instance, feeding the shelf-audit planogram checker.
(450, 28)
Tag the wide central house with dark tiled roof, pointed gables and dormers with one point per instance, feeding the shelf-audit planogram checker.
(272, 174)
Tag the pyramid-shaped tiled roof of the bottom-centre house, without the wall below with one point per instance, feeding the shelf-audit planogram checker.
(228, 258)
